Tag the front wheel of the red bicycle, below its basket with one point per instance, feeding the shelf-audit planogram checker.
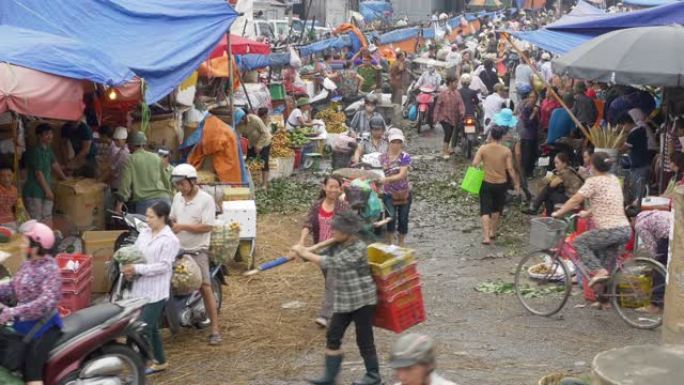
(542, 283)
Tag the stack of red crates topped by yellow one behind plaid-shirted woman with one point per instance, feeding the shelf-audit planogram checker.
(400, 299)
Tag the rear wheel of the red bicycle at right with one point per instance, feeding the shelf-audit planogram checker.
(634, 286)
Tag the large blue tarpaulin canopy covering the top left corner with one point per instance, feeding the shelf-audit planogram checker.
(162, 41)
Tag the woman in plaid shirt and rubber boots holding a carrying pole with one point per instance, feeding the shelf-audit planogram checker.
(354, 300)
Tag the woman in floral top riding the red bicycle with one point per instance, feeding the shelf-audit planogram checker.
(598, 248)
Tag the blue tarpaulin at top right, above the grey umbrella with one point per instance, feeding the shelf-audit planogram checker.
(561, 38)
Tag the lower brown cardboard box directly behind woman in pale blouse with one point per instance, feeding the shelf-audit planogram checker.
(100, 244)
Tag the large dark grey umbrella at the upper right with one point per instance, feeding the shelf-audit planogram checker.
(644, 56)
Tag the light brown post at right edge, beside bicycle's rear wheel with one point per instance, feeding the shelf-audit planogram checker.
(673, 317)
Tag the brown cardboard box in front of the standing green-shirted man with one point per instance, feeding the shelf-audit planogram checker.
(82, 202)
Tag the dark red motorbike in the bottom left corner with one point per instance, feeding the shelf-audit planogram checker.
(100, 345)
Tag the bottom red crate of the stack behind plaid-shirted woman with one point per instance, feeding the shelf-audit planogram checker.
(405, 310)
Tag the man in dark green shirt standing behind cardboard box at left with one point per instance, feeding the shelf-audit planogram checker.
(40, 162)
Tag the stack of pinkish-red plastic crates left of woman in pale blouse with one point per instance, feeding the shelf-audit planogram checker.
(77, 281)
